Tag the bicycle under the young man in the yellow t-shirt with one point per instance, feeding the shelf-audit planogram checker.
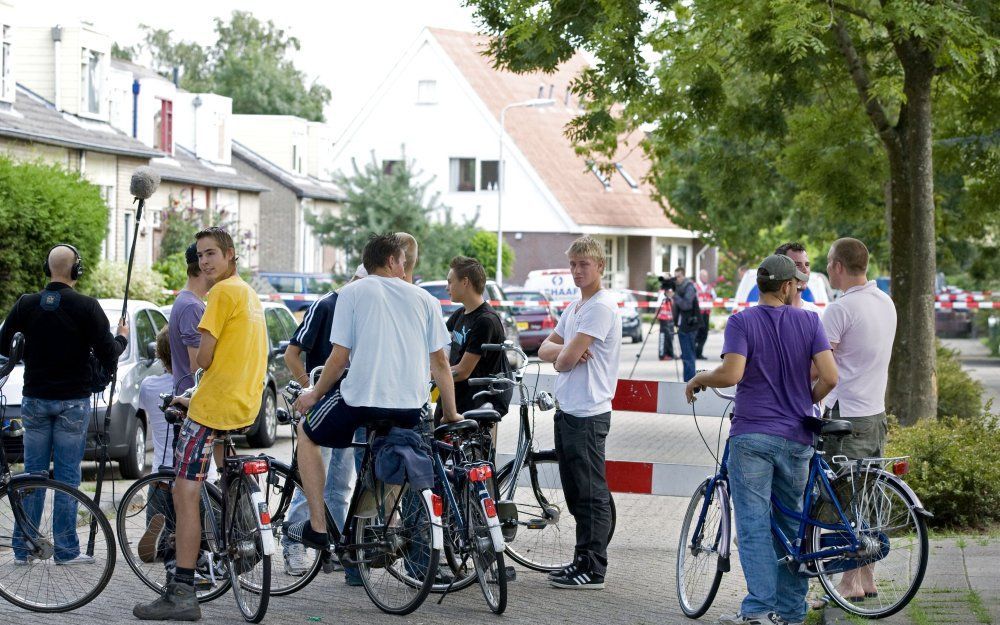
(237, 539)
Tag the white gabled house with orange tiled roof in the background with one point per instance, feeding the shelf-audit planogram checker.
(441, 105)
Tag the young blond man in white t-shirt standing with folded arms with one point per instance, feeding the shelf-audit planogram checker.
(584, 348)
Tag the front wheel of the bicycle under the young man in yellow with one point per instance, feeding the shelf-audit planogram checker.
(145, 521)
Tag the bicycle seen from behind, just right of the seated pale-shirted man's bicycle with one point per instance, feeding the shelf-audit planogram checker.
(464, 479)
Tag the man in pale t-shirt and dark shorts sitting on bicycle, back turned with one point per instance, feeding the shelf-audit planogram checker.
(393, 335)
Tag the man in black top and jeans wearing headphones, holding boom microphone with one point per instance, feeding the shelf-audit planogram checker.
(69, 354)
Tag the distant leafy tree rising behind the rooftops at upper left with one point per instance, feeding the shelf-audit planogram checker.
(248, 63)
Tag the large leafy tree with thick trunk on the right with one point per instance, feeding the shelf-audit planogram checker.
(820, 106)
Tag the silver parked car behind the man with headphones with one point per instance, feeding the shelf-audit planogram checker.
(127, 432)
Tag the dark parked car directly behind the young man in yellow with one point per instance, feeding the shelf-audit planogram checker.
(281, 326)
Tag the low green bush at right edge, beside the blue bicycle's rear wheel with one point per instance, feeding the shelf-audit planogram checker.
(953, 468)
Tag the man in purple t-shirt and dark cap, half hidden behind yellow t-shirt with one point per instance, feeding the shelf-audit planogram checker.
(185, 315)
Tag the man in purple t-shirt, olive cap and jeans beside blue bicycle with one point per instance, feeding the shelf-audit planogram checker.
(767, 354)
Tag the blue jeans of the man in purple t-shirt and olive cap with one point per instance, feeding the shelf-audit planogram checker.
(761, 465)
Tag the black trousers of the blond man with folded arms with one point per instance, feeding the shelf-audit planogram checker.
(579, 443)
